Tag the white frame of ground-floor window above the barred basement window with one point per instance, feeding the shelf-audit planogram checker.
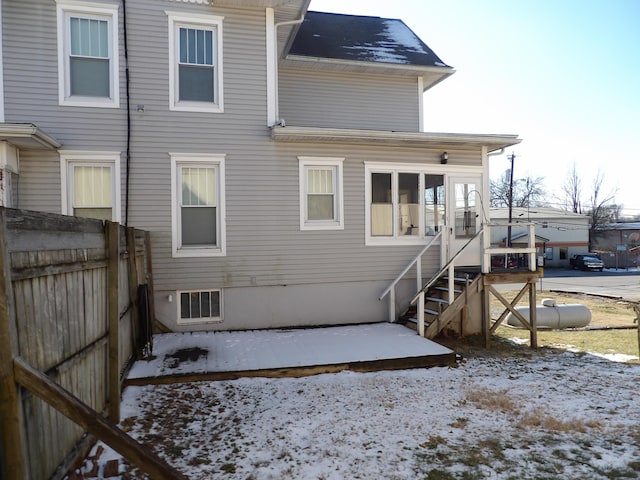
(179, 160)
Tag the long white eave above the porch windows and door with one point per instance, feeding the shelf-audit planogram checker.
(353, 136)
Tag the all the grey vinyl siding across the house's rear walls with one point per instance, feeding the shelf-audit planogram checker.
(265, 246)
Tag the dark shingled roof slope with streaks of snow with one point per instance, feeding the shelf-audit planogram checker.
(363, 39)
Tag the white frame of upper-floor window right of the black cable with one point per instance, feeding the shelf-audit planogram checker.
(214, 22)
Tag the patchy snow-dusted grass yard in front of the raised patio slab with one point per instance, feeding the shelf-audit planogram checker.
(528, 415)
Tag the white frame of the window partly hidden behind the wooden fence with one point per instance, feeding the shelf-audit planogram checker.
(69, 159)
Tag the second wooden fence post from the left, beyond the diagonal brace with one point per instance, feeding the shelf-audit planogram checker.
(112, 234)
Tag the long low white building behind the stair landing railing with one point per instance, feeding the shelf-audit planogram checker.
(559, 233)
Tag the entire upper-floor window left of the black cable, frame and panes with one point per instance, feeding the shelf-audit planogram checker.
(88, 69)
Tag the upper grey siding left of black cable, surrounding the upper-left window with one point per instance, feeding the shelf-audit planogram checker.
(31, 81)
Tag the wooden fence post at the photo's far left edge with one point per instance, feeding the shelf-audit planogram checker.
(12, 448)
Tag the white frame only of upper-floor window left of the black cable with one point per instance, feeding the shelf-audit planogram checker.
(101, 11)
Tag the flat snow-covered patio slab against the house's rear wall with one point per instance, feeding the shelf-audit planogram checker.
(282, 348)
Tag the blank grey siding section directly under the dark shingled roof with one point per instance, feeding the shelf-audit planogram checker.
(314, 98)
